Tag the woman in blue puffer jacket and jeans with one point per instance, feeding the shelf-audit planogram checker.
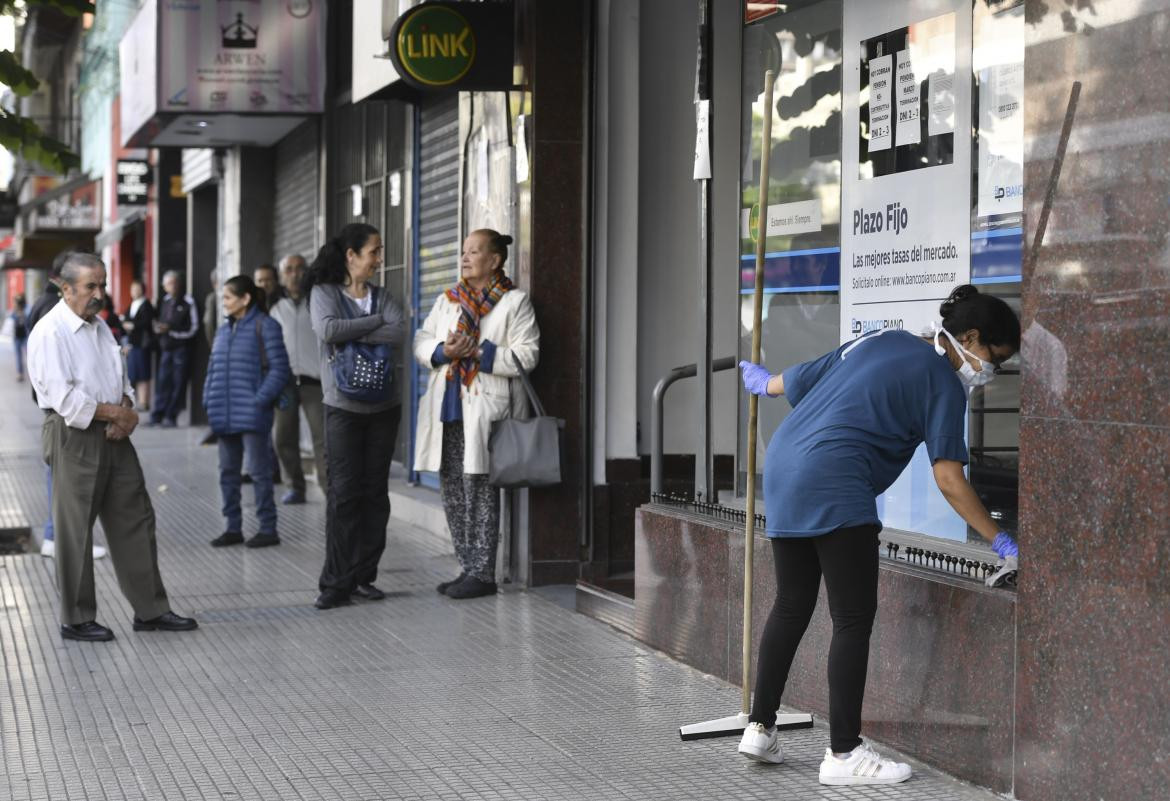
(246, 375)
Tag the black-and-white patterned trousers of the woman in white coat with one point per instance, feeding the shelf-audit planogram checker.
(472, 506)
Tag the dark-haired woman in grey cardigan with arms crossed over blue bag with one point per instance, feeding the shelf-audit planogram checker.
(357, 324)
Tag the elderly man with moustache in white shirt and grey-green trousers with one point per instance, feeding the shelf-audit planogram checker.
(78, 371)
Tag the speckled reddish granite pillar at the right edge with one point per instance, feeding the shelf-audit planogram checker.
(1095, 610)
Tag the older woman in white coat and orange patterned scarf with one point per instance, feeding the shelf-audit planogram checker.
(471, 342)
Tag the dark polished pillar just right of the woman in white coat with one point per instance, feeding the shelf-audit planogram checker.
(555, 49)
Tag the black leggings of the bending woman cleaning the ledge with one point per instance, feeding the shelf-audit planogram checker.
(849, 561)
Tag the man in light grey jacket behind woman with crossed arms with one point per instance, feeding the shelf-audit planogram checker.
(304, 390)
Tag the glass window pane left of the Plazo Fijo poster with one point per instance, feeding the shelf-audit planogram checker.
(803, 250)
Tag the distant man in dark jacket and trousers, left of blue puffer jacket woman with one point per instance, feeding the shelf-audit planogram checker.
(176, 326)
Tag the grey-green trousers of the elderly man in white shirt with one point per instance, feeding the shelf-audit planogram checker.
(95, 479)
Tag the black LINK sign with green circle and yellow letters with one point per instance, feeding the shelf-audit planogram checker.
(457, 46)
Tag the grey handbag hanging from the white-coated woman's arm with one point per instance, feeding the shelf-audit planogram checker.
(526, 453)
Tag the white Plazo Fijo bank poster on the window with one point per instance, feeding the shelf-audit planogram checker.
(906, 217)
